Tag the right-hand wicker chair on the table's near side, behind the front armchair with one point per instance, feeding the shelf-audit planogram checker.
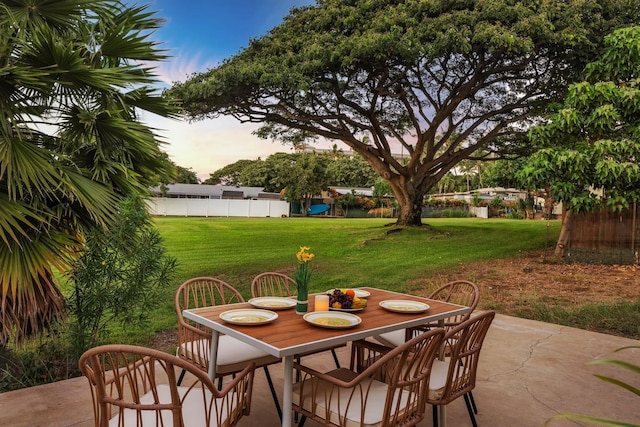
(455, 376)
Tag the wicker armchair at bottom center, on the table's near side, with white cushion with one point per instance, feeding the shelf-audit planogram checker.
(383, 390)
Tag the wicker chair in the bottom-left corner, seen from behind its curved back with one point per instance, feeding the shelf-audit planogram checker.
(136, 386)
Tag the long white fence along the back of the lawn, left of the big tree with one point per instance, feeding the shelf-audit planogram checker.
(217, 207)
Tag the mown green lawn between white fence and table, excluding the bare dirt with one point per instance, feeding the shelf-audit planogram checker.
(348, 252)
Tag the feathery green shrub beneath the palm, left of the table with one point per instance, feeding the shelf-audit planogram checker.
(118, 276)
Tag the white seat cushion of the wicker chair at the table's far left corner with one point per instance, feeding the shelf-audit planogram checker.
(233, 354)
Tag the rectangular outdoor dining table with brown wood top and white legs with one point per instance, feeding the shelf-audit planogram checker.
(289, 334)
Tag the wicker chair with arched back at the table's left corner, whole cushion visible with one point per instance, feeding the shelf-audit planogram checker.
(194, 340)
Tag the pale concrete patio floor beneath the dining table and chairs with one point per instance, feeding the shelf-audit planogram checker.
(528, 372)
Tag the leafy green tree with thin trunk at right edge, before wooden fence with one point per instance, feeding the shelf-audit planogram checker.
(592, 142)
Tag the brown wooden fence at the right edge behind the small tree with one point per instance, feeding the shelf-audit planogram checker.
(605, 237)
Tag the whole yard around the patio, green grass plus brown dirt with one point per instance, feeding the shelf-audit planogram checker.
(508, 259)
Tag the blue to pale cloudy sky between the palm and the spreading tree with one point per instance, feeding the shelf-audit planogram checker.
(199, 34)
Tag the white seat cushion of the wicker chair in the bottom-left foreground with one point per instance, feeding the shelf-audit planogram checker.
(193, 409)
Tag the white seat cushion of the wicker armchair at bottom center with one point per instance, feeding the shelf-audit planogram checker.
(346, 405)
